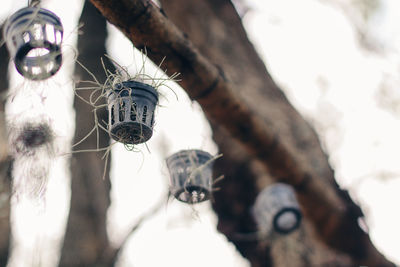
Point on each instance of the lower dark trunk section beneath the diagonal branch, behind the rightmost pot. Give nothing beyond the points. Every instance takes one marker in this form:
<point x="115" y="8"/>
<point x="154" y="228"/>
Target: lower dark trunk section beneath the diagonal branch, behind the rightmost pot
<point x="299" y="249"/>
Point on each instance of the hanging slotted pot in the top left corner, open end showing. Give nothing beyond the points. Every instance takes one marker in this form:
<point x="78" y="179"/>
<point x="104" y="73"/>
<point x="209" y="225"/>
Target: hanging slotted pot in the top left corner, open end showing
<point x="33" y="36"/>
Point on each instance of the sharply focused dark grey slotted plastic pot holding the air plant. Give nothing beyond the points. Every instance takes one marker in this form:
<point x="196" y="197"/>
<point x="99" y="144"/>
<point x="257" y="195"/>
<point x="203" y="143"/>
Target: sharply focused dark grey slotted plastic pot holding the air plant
<point x="131" y="107"/>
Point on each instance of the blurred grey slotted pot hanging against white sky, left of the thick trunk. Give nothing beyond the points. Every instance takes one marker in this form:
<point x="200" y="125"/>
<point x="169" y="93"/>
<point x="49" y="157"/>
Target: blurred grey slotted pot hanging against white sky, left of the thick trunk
<point x="190" y="175"/>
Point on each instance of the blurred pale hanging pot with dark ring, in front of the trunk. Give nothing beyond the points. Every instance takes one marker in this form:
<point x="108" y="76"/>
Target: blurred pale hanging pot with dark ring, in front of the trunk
<point x="276" y="209"/>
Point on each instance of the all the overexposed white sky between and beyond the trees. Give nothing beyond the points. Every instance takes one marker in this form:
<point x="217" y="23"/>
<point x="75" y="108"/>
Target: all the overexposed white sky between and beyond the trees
<point x="314" y="56"/>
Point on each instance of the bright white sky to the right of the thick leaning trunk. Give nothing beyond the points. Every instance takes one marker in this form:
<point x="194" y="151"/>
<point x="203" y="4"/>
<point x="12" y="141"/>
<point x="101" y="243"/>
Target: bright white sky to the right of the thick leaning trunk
<point x="337" y="85"/>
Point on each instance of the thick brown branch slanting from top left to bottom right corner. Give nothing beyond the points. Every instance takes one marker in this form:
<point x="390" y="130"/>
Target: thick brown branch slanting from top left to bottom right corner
<point x="270" y="130"/>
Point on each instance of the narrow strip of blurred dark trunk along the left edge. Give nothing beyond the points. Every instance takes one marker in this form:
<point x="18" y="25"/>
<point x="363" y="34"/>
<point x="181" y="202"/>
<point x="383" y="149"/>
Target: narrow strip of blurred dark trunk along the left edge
<point x="5" y="164"/>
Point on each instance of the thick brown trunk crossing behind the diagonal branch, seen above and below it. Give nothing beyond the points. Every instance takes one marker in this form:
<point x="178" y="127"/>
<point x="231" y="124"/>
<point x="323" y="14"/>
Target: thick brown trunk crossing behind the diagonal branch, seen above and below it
<point x="222" y="39"/>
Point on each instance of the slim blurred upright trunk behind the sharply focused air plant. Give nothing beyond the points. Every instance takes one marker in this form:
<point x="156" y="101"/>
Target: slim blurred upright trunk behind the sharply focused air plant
<point x="86" y="242"/>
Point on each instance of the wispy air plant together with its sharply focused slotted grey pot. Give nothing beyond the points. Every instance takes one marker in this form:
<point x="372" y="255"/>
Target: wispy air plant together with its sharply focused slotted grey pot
<point x="130" y="120"/>
